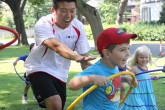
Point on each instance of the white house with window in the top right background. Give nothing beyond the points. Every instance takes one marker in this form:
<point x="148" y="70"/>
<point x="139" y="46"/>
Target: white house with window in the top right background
<point x="150" y="10"/>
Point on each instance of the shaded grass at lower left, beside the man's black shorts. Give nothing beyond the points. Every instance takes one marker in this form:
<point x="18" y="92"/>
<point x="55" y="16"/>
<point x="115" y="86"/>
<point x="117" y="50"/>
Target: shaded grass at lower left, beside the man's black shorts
<point x="11" y="92"/>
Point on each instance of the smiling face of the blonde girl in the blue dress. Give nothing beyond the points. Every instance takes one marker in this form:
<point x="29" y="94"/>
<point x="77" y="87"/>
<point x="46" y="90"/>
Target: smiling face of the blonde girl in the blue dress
<point x="143" y="59"/>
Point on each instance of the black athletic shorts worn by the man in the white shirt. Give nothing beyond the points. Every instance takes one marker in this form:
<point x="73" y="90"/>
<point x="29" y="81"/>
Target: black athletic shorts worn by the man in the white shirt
<point x="45" y="85"/>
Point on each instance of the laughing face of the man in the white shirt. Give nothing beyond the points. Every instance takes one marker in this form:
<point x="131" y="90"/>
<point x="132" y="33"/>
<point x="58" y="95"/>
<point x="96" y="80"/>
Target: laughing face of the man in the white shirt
<point x="64" y="14"/>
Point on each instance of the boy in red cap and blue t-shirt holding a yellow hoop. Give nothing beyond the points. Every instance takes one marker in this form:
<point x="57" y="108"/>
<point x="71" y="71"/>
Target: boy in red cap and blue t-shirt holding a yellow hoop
<point x="113" y="45"/>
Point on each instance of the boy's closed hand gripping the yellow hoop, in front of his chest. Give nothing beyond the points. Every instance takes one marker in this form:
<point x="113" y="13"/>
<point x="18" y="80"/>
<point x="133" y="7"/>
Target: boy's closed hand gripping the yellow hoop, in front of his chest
<point x="100" y="80"/>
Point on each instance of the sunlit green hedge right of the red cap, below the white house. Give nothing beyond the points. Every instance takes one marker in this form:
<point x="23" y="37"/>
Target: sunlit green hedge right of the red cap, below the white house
<point x="146" y="31"/>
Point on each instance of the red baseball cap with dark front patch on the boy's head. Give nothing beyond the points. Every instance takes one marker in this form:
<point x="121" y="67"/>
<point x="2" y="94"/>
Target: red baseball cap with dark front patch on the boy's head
<point x="112" y="36"/>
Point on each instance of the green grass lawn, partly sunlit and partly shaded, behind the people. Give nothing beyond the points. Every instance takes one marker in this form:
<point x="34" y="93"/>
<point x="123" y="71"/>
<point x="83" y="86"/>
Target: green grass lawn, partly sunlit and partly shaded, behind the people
<point x="11" y="86"/>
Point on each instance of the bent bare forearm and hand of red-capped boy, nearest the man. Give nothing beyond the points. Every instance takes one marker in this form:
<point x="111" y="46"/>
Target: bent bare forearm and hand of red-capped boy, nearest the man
<point x="81" y="81"/>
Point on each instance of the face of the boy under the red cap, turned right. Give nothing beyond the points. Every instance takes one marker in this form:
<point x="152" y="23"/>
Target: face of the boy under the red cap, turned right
<point x="118" y="56"/>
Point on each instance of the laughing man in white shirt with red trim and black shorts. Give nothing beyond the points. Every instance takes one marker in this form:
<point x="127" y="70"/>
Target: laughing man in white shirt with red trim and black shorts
<point x="57" y="36"/>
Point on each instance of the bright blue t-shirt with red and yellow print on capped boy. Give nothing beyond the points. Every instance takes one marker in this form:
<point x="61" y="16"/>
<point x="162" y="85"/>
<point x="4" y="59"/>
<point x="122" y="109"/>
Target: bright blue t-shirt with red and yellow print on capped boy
<point x="102" y="98"/>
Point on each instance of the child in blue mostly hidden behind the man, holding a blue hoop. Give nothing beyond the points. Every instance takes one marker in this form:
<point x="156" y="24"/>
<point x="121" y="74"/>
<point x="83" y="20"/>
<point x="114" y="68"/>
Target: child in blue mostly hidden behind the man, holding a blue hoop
<point x="27" y="86"/>
